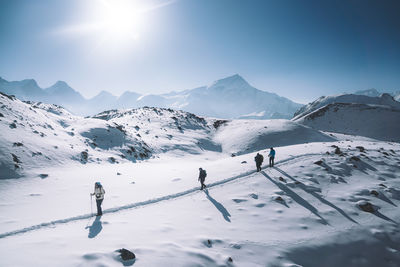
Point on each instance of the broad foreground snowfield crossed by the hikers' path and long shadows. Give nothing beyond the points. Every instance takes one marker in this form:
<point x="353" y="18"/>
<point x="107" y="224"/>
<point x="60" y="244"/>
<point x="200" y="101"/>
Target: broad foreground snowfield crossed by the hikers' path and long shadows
<point x="304" y="212"/>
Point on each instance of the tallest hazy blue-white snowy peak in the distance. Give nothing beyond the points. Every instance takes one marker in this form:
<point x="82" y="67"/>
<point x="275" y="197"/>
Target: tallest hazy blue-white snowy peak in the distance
<point x="233" y="97"/>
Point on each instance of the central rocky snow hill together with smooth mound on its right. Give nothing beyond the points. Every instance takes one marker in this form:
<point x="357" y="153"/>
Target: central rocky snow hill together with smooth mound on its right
<point x="167" y="130"/>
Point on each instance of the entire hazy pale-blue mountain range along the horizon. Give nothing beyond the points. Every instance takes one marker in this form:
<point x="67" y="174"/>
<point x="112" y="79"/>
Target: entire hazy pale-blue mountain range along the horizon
<point x="228" y="98"/>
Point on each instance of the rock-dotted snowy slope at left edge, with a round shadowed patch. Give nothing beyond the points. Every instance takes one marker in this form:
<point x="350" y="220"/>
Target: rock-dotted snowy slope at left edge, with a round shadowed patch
<point x="36" y="135"/>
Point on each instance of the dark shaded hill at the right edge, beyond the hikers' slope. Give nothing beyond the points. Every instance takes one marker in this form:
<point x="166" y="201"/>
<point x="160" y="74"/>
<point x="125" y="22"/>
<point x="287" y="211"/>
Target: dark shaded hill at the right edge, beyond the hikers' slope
<point x="374" y="117"/>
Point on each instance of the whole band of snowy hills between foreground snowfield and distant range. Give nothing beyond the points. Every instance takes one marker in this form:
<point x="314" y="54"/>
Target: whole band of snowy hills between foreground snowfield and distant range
<point x="36" y="134"/>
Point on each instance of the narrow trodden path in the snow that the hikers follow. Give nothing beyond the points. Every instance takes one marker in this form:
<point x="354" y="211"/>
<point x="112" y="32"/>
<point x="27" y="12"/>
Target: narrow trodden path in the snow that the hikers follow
<point x="150" y="201"/>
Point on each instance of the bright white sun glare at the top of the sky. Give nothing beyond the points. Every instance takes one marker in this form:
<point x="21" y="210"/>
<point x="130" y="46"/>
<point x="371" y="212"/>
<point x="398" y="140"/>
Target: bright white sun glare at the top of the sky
<point x="114" y="26"/>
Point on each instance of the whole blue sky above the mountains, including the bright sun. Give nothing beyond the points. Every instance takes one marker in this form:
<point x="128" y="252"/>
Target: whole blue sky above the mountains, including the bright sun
<point x="298" y="49"/>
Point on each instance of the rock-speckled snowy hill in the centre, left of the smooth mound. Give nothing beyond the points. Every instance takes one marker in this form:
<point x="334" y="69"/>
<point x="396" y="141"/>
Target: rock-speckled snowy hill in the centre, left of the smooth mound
<point x="166" y="130"/>
